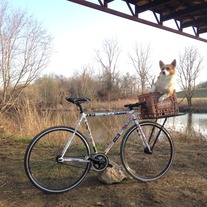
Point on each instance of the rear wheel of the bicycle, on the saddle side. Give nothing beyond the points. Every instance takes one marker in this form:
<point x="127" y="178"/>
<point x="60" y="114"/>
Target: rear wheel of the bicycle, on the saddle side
<point x="42" y="167"/>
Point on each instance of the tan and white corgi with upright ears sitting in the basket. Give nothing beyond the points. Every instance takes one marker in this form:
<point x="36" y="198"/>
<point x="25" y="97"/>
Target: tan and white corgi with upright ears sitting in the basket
<point x="166" y="80"/>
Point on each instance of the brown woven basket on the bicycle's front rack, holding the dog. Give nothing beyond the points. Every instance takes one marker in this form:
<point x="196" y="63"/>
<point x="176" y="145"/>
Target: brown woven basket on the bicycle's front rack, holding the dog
<point x="155" y="109"/>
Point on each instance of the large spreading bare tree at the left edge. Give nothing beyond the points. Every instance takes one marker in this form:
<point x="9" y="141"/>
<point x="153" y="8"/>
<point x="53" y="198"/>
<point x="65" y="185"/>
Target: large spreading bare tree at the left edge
<point x="25" y="48"/>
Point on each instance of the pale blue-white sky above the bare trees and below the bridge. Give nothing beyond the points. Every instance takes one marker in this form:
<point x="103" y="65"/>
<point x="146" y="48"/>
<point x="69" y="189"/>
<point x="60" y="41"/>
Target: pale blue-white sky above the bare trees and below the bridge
<point x="78" y="31"/>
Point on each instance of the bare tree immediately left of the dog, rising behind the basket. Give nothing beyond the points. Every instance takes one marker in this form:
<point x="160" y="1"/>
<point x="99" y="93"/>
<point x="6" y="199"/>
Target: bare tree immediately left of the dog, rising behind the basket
<point x="141" y="62"/>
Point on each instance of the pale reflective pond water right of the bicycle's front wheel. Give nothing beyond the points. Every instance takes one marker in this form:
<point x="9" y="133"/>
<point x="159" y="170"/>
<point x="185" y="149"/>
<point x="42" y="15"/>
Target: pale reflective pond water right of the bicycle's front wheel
<point x="189" y="124"/>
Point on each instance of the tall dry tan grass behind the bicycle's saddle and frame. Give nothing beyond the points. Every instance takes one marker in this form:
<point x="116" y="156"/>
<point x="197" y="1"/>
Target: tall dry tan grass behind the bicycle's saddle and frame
<point x="28" y="121"/>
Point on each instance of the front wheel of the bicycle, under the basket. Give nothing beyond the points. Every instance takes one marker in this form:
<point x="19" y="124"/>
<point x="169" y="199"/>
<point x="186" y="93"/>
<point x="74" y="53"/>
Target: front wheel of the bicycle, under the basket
<point x="138" y="161"/>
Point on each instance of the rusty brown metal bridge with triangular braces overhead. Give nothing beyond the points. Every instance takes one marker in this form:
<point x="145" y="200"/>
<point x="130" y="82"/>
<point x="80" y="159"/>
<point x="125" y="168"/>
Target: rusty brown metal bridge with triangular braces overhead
<point x="186" y="14"/>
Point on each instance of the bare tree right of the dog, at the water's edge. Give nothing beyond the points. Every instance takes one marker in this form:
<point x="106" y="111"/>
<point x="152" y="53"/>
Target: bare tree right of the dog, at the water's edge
<point x="190" y="65"/>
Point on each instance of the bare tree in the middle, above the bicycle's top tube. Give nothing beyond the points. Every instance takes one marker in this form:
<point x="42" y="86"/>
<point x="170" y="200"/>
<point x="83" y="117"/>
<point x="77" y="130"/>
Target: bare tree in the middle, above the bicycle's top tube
<point x="108" y="60"/>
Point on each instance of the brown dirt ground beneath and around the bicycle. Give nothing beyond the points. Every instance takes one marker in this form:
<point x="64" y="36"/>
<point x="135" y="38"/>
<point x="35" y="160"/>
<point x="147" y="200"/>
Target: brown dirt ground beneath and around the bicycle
<point x="184" y="185"/>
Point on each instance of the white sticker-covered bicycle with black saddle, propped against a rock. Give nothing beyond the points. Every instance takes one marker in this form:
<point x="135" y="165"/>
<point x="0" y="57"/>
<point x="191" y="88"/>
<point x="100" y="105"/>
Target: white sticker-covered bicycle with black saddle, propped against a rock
<point x="59" y="158"/>
